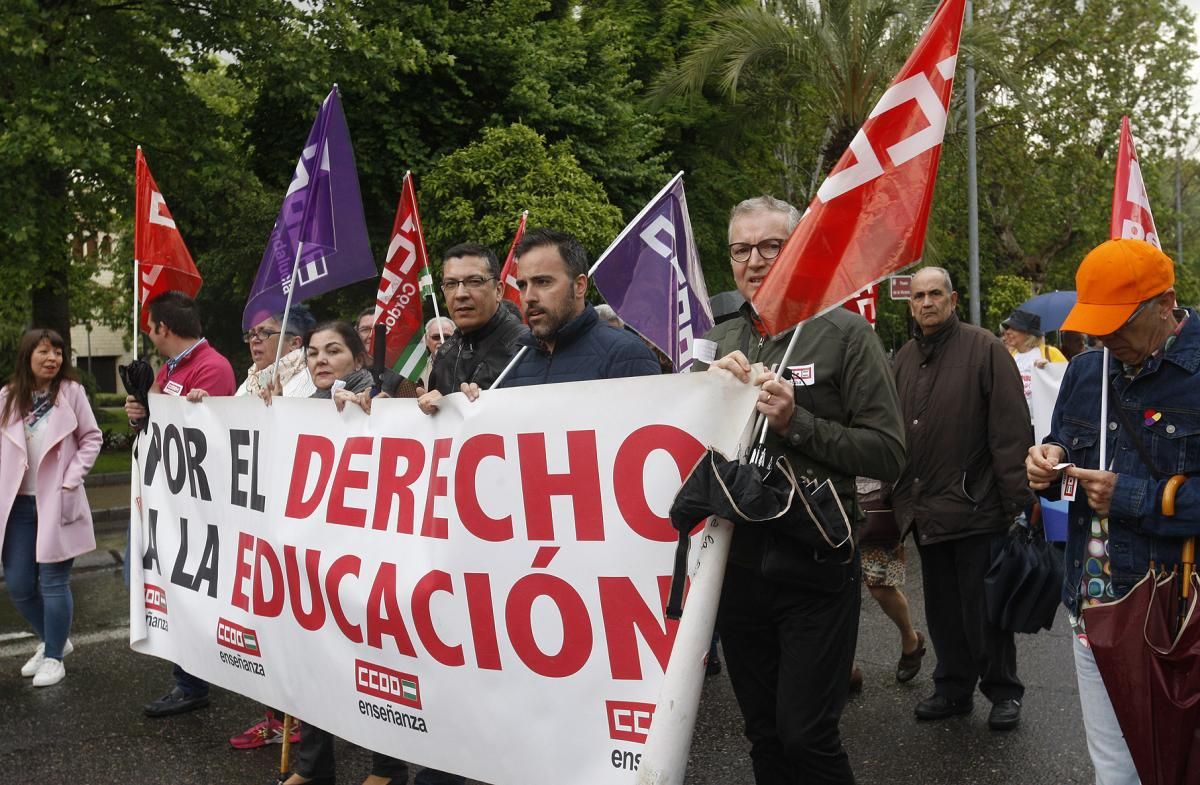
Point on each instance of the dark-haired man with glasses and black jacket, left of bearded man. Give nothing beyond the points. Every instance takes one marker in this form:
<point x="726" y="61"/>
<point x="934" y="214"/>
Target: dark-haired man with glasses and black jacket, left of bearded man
<point x="487" y="335"/>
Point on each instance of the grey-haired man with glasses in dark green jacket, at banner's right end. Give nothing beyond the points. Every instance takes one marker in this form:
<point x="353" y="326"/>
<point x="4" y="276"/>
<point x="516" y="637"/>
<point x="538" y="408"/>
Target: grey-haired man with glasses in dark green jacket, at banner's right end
<point x="789" y="615"/>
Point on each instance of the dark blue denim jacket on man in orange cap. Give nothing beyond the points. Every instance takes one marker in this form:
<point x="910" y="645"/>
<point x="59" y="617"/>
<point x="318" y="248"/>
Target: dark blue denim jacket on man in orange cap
<point x="1168" y="385"/>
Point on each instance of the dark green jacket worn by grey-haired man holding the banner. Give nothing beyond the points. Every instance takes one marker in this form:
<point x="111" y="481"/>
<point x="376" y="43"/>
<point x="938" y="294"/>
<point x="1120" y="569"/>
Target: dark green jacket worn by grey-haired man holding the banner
<point x="848" y="417"/>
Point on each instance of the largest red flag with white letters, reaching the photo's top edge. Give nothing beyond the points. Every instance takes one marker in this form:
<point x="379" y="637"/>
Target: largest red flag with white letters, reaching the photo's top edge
<point x="869" y="217"/>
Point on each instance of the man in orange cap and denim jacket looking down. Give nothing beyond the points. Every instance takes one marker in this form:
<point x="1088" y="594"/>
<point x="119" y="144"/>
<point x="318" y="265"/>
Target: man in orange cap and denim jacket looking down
<point x="1126" y="298"/>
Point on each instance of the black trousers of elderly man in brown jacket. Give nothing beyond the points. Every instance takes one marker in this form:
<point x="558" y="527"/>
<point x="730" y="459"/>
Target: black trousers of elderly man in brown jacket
<point x="970" y="650"/>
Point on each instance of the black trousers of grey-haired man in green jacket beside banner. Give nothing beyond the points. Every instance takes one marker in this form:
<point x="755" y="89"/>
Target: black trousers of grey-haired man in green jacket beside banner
<point x="789" y="651"/>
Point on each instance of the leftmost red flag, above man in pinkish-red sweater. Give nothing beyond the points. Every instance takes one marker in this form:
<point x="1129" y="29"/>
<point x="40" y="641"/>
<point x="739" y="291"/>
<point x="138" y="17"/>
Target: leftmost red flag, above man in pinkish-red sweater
<point x="160" y="259"/>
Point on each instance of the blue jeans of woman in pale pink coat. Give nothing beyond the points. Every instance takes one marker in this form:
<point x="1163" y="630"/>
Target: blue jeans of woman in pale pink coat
<point x="41" y="592"/>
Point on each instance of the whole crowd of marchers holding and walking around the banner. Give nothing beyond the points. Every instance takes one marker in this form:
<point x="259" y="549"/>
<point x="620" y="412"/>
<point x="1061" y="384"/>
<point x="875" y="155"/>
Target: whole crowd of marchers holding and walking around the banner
<point x="941" y="435"/>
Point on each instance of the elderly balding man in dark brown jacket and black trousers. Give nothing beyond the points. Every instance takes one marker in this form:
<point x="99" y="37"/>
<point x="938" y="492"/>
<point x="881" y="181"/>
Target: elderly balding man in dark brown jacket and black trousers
<point x="968" y="435"/>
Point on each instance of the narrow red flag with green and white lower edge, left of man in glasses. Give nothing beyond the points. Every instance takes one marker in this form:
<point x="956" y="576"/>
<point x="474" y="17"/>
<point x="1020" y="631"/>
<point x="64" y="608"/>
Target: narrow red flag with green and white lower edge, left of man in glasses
<point x="405" y="283"/>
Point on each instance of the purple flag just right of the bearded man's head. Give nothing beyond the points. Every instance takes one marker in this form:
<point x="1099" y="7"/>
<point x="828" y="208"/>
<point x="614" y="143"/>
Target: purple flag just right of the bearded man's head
<point x="651" y="277"/>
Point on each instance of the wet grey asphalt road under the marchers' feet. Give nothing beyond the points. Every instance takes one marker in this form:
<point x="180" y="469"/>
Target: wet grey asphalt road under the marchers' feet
<point x="89" y="730"/>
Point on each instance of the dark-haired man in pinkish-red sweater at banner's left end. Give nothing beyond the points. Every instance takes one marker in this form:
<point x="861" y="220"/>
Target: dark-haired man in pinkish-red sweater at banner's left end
<point x="194" y="369"/>
